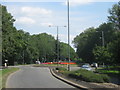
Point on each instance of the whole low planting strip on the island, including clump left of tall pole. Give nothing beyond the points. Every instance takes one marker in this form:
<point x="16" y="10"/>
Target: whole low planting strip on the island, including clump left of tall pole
<point x="84" y="75"/>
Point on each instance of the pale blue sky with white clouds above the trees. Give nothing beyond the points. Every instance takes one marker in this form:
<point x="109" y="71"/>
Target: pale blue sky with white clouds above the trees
<point x="36" y="16"/>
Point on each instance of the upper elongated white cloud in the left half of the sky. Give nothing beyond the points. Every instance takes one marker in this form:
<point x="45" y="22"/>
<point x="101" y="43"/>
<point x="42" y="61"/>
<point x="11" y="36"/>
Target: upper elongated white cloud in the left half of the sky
<point x="35" y="11"/>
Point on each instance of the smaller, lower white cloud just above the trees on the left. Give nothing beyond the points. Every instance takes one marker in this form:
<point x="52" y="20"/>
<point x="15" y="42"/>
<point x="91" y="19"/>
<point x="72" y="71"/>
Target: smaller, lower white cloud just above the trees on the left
<point x="25" y="20"/>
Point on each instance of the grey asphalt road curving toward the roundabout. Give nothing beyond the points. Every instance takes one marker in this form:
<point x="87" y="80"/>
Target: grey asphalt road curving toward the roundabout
<point x="34" y="77"/>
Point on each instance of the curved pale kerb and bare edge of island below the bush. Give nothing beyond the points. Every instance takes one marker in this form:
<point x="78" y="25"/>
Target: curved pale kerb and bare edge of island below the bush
<point x="82" y="84"/>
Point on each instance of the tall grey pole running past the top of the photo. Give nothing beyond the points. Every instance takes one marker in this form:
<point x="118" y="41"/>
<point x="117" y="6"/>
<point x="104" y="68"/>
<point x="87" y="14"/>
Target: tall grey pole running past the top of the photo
<point x="68" y="37"/>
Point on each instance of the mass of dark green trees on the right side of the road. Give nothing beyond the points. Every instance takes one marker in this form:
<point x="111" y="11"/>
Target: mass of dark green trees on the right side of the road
<point x="102" y="44"/>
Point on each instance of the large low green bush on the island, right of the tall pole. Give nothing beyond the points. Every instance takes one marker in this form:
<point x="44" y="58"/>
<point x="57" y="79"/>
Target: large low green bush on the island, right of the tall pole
<point x="89" y="76"/>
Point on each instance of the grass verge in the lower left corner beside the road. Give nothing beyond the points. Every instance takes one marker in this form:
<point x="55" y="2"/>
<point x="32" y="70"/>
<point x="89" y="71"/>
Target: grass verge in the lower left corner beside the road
<point x="4" y="74"/>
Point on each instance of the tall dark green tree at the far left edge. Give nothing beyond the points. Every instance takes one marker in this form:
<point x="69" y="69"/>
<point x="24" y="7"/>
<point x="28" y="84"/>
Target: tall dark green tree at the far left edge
<point x="8" y="34"/>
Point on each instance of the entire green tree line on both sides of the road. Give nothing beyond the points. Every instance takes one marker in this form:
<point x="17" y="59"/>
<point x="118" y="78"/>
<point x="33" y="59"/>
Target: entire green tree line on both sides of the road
<point x="101" y="45"/>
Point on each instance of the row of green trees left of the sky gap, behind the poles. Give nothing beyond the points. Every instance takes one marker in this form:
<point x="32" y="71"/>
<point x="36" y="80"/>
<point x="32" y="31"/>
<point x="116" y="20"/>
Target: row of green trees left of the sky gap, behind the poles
<point x="19" y="47"/>
